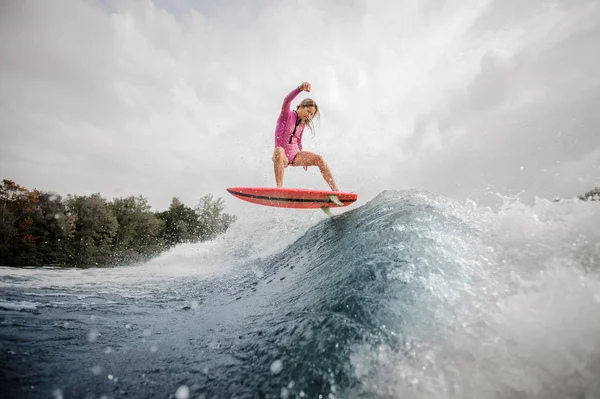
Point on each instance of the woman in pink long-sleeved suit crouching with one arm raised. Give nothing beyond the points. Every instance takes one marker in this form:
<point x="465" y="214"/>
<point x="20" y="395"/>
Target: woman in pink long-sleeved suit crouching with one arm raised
<point x="288" y="138"/>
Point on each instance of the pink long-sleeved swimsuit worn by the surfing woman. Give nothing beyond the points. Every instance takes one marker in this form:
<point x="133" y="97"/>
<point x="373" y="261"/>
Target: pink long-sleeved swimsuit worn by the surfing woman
<point x="288" y="132"/>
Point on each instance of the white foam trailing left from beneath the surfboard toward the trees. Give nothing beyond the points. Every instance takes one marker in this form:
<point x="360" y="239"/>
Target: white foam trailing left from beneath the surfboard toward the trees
<point x="253" y="236"/>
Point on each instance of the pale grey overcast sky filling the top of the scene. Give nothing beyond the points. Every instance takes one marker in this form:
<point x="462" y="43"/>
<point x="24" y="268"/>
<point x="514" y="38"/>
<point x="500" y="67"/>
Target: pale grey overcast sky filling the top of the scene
<point x="467" y="99"/>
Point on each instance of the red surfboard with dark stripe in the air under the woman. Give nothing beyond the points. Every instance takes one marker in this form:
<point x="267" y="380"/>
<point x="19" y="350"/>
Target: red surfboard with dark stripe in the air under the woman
<point x="293" y="197"/>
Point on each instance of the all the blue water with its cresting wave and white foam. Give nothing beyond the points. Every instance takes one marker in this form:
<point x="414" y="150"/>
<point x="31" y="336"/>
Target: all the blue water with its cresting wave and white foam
<point x="410" y="295"/>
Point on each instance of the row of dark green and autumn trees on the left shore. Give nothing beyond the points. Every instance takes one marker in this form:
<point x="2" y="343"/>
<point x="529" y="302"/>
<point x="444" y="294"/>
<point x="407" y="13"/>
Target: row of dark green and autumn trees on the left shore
<point x="41" y="228"/>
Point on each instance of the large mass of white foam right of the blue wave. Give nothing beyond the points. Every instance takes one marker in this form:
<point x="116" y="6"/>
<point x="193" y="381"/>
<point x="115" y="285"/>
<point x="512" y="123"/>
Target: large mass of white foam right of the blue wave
<point x="536" y="334"/>
